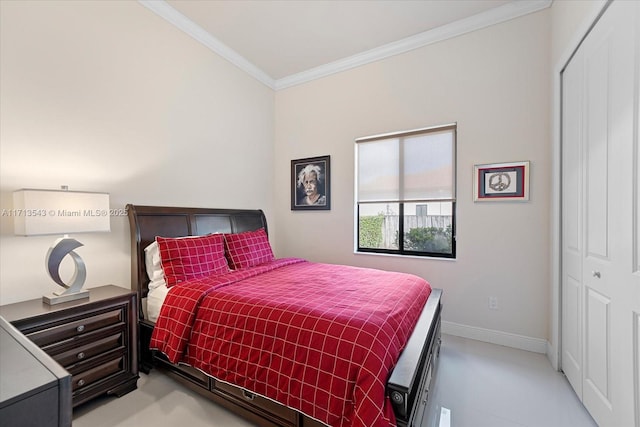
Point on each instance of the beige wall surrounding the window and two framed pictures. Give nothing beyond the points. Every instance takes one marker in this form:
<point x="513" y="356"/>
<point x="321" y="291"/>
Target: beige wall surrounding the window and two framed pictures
<point x="495" y="83"/>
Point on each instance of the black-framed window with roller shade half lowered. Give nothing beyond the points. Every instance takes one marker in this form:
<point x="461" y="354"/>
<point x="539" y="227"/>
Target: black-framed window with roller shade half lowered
<point x="405" y="192"/>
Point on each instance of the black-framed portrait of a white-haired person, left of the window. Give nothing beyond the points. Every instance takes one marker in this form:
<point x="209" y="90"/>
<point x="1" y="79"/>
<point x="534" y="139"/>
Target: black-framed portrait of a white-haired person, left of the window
<point x="310" y="184"/>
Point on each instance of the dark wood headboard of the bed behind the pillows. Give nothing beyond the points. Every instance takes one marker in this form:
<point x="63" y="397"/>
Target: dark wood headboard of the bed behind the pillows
<point x="147" y="222"/>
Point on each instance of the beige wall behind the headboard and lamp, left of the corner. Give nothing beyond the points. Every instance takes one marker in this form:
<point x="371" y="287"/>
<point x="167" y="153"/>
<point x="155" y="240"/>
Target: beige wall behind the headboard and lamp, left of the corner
<point x="107" y="96"/>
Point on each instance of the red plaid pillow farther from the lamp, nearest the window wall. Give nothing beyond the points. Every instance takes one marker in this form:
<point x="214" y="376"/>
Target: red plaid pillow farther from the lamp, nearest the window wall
<point x="248" y="249"/>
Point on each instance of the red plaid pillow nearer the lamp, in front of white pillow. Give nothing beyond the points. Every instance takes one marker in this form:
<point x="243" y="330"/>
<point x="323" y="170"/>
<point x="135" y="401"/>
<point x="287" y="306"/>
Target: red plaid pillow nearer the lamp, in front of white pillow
<point x="192" y="257"/>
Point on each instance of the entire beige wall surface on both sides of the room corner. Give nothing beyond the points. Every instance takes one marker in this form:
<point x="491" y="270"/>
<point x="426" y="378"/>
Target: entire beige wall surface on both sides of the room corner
<point x="107" y="96"/>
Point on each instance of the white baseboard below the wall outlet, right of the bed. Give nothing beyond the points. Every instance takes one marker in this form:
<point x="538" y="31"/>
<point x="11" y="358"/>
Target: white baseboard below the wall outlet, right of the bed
<point x="506" y="339"/>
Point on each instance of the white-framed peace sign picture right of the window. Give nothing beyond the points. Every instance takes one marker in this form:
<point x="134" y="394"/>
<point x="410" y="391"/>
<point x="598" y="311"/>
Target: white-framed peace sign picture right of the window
<point x="501" y="181"/>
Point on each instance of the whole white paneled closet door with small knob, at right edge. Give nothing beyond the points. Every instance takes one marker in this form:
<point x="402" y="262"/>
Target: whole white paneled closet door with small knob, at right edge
<point x="601" y="279"/>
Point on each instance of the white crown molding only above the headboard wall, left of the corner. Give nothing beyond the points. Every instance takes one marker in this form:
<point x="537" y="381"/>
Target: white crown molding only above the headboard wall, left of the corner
<point x="176" y="18"/>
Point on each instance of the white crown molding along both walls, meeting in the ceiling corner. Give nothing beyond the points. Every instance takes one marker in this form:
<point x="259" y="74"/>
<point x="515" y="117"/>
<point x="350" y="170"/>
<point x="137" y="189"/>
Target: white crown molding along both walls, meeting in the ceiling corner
<point x="500" y="14"/>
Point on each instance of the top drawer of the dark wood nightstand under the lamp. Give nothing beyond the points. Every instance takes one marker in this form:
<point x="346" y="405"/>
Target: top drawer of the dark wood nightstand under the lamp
<point x="75" y="328"/>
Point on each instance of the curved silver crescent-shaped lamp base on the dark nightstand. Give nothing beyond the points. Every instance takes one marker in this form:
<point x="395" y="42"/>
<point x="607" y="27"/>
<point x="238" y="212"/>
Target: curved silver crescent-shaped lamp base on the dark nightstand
<point x="62" y="247"/>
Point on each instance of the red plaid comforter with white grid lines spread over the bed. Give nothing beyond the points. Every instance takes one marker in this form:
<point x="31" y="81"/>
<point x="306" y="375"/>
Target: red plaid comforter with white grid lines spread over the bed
<point x="318" y="338"/>
